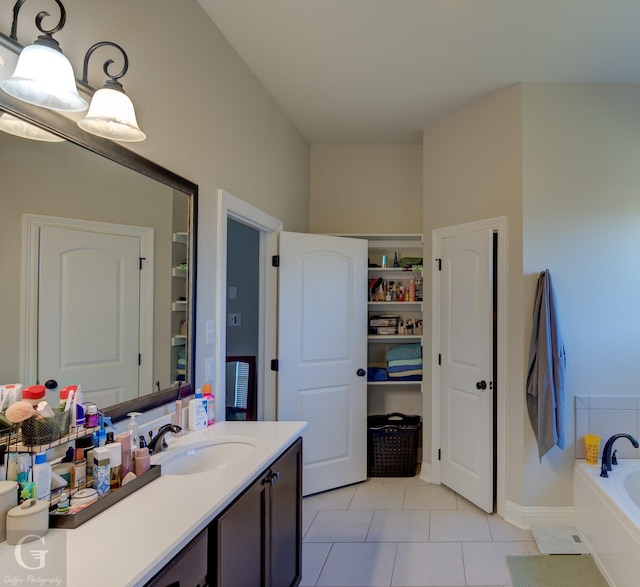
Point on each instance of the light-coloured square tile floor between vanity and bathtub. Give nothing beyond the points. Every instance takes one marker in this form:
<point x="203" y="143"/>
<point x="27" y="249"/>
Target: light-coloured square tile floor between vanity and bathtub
<point x="404" y="532"/>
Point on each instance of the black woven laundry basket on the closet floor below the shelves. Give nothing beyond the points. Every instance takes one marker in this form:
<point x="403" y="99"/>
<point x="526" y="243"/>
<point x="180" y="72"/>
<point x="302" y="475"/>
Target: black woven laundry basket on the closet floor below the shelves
<point x="392" y="447"/>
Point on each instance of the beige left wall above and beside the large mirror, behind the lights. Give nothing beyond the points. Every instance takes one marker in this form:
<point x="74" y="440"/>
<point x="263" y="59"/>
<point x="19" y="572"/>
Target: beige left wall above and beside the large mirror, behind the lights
<point x="205" y="114"/>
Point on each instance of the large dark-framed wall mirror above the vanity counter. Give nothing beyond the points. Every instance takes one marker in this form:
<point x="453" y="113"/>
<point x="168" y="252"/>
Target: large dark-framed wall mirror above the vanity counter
<point x="97" y="262"/>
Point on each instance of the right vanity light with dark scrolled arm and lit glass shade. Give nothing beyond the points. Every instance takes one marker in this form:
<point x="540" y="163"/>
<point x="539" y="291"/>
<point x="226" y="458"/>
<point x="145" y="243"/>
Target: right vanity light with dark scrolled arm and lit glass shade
<point x="111" y="114"/>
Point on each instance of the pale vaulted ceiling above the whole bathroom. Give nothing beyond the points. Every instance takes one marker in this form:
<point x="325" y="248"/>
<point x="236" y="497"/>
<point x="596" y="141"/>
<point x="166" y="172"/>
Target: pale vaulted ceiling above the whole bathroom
<point x="379" y="71"/>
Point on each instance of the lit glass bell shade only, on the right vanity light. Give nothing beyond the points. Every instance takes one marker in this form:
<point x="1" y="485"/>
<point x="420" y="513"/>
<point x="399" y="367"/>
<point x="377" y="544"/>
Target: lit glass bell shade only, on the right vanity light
<point x="111" y="115"/>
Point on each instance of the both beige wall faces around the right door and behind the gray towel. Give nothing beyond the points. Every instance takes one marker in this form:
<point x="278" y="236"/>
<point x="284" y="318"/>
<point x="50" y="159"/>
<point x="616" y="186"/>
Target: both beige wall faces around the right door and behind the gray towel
<point x="560" y="162"/>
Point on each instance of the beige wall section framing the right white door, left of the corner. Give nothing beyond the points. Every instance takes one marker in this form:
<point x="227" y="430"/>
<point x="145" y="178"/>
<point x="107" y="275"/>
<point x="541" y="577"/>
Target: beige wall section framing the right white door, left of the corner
<point x="473" y="171"/>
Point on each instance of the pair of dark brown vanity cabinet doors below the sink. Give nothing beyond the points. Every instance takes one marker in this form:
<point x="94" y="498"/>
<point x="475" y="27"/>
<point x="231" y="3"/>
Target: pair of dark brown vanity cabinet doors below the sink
<point x="257" y="540"/>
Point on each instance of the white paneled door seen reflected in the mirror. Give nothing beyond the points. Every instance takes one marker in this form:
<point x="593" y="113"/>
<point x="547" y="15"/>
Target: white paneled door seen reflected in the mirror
<point x="88" y="312"/>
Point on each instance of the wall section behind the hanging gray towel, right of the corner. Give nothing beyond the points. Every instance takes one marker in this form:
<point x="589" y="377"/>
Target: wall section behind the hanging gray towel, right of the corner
<point x="581" y="210"/>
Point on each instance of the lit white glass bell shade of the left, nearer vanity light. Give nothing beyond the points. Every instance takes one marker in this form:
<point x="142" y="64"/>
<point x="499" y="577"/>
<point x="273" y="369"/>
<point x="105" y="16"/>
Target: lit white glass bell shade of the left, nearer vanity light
<point x="44" y="77"/>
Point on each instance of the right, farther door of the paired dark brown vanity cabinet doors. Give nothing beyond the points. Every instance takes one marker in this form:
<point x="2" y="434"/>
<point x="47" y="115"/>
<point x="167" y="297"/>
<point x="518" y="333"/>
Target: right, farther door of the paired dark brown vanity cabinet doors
<point x="286" y="518"/>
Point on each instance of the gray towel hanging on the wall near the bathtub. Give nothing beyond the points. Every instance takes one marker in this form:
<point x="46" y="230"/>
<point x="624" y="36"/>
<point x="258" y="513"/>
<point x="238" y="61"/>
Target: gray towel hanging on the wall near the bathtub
<point x="545" y="377"/>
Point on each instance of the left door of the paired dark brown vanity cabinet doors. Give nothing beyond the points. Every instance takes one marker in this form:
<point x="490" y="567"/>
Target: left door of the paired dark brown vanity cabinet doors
<point x="241" y="540"/>
